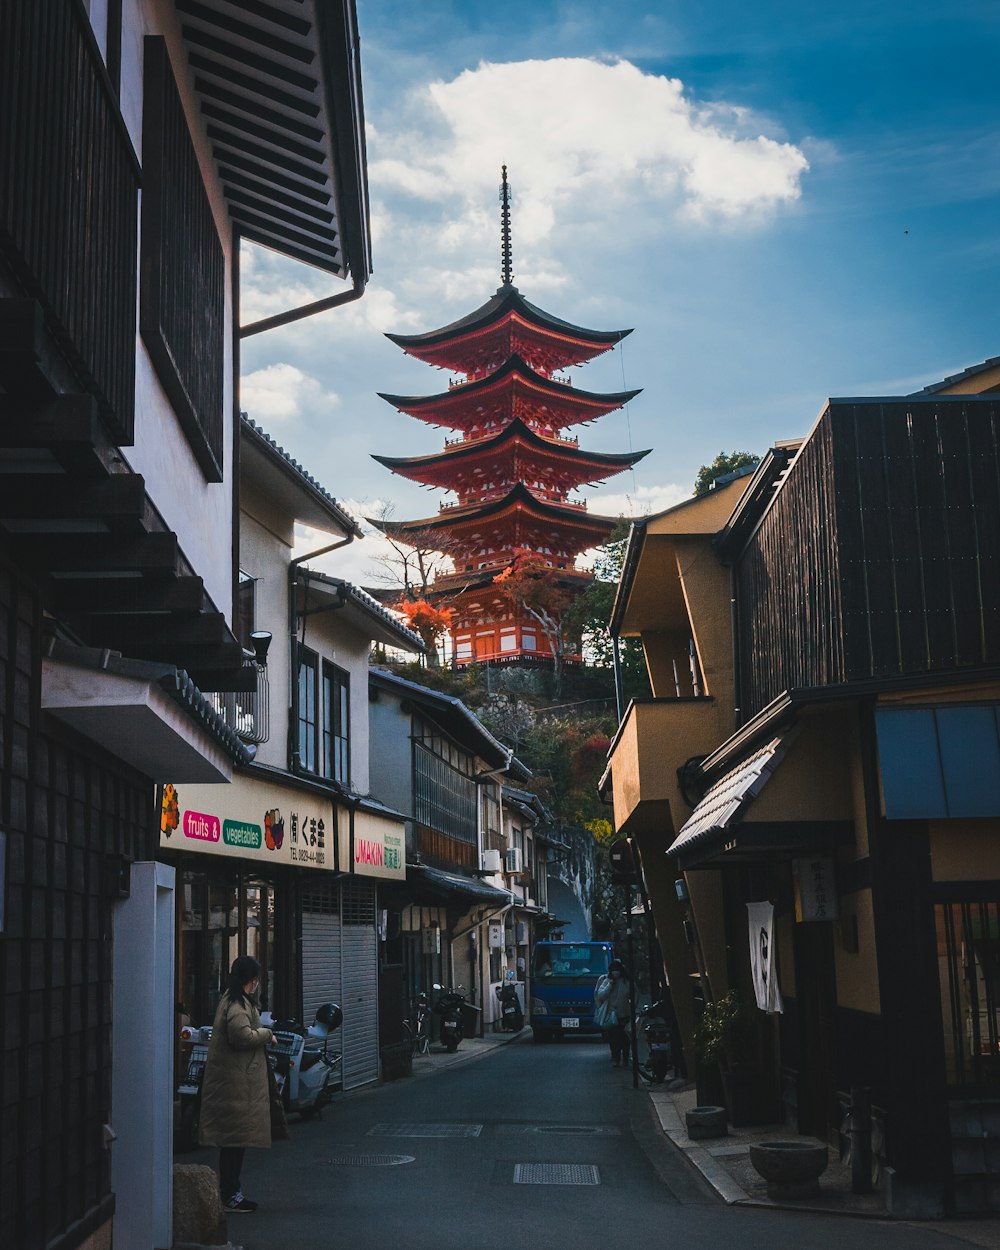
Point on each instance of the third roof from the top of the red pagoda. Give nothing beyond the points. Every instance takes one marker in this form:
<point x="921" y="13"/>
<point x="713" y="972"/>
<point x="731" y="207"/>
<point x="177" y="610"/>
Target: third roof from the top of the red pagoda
<point x="516" y="454"/>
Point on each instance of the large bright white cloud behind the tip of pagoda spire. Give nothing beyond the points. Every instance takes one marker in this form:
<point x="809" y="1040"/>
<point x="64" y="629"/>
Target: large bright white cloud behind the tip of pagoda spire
<point x="581" y="134"/>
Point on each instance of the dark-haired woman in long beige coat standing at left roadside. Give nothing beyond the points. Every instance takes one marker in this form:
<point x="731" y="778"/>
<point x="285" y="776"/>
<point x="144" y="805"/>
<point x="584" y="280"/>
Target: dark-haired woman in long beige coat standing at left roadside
<point x="236" y="1102"/>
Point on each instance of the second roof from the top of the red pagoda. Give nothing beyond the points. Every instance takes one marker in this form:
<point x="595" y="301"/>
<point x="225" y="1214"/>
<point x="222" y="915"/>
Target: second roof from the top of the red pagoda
<point x="514" y="391"/>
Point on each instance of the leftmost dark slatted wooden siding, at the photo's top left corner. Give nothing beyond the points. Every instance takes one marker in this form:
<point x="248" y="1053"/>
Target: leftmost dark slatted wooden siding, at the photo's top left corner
<point x="69" y="184"/>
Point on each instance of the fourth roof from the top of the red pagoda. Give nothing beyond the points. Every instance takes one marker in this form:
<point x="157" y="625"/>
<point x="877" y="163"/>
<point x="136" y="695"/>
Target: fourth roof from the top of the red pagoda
<point x="519" y="519"/>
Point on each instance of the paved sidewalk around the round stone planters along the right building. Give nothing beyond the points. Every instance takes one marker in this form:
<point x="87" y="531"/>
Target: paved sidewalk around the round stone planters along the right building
<point x="726" y="1164"/>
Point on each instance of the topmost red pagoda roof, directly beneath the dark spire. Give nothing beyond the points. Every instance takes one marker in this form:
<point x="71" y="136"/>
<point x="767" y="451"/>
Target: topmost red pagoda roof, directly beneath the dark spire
<point x="507" y="326"/>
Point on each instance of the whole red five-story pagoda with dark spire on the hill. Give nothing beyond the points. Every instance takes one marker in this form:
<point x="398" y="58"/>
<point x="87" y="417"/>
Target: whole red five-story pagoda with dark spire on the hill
<point x="512" y="466"/>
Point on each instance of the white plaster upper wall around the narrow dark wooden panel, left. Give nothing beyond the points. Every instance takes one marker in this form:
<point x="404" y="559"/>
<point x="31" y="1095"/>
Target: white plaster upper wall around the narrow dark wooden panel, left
<point x="201" y="513"/>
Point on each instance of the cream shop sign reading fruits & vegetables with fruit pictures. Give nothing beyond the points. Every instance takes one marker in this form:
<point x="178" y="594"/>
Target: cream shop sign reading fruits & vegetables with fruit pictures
<point x="249" y="819"/>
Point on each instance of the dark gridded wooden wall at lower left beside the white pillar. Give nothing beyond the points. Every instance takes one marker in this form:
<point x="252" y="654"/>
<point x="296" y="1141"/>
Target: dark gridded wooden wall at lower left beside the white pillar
<point x="72" y="822"/>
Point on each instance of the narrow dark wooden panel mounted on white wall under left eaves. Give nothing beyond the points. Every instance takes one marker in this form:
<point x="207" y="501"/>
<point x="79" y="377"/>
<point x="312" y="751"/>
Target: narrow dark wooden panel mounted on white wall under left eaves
<point x="182" y="309"/>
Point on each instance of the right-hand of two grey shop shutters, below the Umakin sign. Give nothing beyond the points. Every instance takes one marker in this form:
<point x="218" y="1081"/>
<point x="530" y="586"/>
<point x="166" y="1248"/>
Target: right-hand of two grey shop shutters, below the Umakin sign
<point x="361" y="983"/>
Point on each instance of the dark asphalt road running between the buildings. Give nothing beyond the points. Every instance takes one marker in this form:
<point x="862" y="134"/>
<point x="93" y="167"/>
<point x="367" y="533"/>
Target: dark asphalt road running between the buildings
<point x="479" y="1156"/>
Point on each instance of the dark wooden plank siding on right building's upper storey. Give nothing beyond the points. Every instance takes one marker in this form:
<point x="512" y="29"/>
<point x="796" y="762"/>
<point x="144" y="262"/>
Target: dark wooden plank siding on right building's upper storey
<point x="881" y="556"/>
